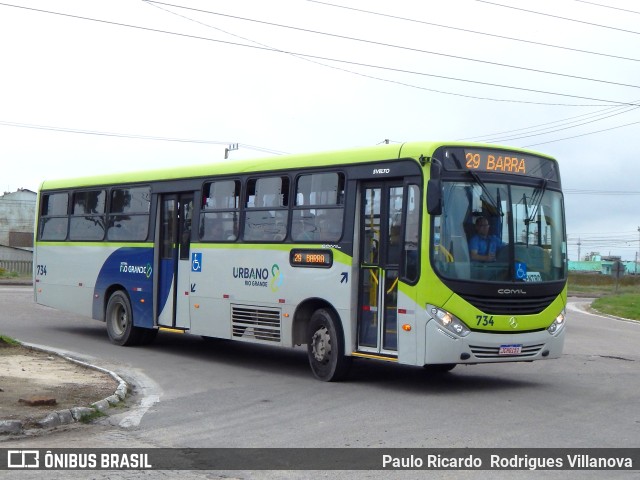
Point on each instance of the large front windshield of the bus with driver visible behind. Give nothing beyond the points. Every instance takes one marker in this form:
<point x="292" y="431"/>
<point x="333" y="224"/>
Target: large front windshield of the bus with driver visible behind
<point x="499" y="232"/>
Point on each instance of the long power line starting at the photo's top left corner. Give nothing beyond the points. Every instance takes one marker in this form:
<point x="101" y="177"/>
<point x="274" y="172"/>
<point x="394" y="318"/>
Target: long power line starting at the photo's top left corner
<point x="397" y="70"/>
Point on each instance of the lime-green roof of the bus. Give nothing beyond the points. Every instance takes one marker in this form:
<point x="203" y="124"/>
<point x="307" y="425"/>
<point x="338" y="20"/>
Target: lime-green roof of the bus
<point x="264" y="164"/>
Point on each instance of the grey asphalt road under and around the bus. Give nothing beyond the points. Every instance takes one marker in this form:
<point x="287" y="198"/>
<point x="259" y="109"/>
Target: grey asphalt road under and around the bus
<point x="195" y="393"/>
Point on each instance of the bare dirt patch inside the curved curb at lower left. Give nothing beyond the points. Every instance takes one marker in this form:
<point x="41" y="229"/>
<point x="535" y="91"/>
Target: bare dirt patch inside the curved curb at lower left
<point x="27" y="374"/>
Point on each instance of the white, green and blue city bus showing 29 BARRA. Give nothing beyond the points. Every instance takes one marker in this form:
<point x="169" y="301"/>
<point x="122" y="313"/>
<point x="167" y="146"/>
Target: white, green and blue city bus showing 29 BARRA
<point x="368" y="253"/>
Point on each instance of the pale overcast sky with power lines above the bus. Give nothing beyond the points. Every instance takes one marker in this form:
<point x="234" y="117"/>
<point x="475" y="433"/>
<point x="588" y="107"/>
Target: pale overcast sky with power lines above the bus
<point x="111" y="81"/>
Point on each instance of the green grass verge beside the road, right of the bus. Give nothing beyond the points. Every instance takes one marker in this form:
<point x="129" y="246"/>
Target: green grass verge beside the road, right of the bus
<point x="613" y="297"/>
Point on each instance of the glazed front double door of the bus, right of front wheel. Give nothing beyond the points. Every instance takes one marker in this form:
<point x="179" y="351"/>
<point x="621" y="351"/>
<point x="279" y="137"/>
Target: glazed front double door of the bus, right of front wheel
<point x="380" y="254"/>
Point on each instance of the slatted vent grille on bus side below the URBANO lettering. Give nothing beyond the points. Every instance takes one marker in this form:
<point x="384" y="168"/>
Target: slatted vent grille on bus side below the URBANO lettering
<point x="255" y="322"/>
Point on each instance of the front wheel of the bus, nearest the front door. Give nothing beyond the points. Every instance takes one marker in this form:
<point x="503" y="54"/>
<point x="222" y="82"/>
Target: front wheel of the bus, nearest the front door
<point x="325" y="347"/>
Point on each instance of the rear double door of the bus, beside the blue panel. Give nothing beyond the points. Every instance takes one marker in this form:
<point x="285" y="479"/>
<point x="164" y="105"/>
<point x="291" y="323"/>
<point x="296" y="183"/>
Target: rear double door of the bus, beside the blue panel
<point x="173" y="240"/>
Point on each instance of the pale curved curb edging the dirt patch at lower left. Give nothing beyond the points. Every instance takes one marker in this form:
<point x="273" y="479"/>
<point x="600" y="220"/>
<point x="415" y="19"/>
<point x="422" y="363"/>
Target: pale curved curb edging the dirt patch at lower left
<point x="74" y="414"/>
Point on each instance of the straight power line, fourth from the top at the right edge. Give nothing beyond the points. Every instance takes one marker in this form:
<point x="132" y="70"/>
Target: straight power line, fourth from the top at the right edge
<point x="400" y="47"/>
